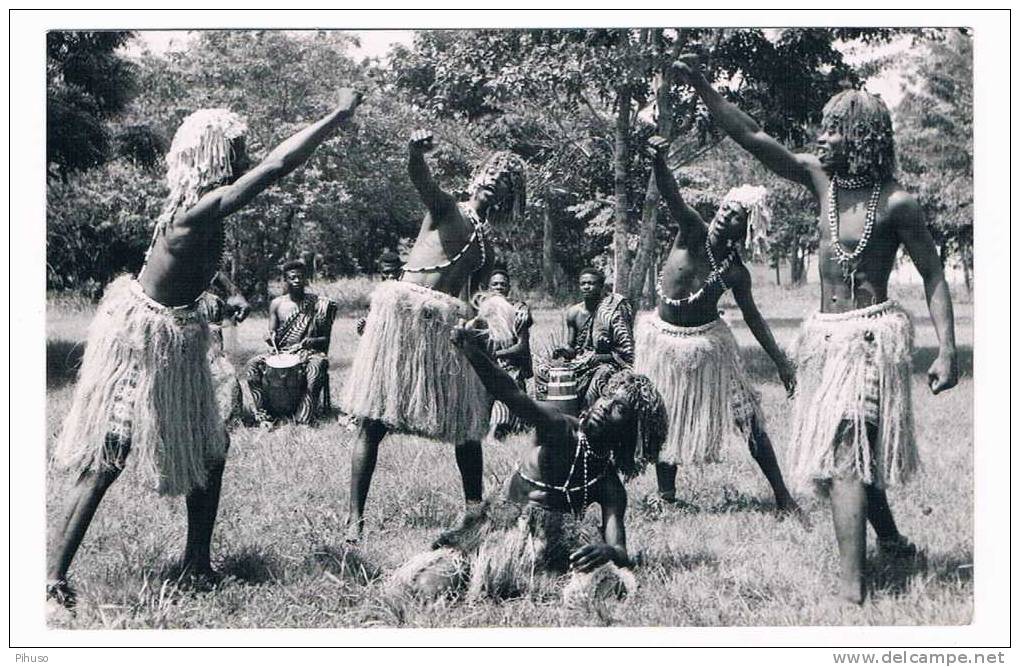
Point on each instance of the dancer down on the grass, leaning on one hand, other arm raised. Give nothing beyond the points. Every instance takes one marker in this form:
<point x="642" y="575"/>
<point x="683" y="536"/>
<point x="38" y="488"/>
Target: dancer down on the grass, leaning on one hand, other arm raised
<point x="533" y="530"/>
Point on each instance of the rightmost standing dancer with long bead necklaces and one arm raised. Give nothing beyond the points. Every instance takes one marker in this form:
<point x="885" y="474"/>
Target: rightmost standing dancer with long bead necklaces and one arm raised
<point x="853" y="420"/>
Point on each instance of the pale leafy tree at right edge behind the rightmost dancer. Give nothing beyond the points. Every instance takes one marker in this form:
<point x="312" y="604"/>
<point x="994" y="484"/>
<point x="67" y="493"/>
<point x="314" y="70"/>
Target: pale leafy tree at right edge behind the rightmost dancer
<point x="935" y="140"/>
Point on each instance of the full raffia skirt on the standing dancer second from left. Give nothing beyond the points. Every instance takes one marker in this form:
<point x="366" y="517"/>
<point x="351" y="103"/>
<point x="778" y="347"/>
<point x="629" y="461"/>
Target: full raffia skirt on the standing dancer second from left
<point x="407" y="374"/>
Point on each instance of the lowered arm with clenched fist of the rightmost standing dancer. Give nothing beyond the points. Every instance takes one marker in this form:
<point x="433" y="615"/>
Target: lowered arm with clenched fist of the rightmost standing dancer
<point x="943" y="374"/>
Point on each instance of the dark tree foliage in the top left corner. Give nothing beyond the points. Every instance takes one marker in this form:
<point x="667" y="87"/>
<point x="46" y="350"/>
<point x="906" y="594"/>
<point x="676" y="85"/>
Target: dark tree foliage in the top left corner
<point x="88" y="83"/>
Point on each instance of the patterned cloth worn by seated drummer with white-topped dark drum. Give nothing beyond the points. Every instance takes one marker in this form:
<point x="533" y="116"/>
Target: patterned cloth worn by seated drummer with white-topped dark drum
<point x="313" y="320"/>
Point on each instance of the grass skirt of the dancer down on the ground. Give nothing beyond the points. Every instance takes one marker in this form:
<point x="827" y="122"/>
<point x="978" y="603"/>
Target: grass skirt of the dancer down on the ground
<point x="506" y="550"/>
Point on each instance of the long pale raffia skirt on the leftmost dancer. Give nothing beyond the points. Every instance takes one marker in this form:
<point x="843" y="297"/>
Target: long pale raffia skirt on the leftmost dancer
<point x="145" y="379"/>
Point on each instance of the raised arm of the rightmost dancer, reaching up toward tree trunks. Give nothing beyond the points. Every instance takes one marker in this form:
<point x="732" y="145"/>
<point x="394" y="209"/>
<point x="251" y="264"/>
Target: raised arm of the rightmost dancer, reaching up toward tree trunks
<point x="745" y="131"/>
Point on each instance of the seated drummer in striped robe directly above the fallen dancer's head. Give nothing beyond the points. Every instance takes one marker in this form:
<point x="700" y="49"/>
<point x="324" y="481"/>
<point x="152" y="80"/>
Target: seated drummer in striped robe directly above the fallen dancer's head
<point x="601" y="338"/>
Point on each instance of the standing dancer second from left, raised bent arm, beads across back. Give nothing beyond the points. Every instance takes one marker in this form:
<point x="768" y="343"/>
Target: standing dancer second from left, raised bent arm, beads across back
<point x="406" y="377"/>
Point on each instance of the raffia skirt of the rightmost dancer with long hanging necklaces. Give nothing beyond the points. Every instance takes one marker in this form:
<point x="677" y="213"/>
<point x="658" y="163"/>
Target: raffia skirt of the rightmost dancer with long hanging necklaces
<point x="854" y="370"/>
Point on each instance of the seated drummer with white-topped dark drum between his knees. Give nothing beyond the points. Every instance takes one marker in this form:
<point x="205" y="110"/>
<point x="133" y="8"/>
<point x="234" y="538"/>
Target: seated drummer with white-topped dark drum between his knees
<point x="300" y="323"/>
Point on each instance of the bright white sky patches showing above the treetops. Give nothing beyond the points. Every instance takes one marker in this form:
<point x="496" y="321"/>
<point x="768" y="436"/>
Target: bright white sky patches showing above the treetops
<point x="378" y="43"/>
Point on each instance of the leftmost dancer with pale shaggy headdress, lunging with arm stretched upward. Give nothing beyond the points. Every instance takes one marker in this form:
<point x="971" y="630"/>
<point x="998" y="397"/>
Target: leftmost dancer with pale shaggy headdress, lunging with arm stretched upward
<point x="145" y="385"/>
